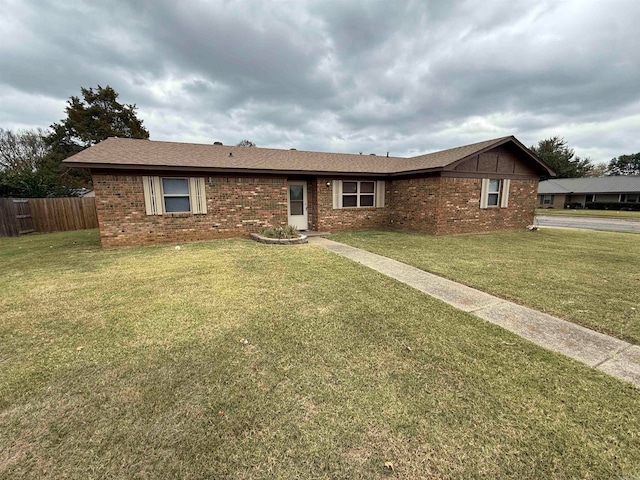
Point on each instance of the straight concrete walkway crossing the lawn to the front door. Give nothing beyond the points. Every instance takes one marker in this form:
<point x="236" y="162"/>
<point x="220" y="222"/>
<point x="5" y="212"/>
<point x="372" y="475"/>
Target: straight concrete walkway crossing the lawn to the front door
<point x="608" y="354"/>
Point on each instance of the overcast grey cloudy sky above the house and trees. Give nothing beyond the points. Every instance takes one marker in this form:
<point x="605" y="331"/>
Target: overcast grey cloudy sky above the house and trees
<point x="352" y="76"/>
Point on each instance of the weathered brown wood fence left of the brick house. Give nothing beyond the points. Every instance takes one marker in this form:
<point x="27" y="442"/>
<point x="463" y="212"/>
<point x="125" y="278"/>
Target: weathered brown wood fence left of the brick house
<point x="20" y="215"/>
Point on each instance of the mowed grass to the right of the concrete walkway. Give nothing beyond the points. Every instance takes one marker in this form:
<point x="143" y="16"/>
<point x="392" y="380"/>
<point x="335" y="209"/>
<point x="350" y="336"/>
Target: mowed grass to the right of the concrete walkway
<point x="589" y="277"/>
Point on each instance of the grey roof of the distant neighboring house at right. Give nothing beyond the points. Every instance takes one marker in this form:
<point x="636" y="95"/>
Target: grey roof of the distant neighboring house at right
<point x="613" y="184"/>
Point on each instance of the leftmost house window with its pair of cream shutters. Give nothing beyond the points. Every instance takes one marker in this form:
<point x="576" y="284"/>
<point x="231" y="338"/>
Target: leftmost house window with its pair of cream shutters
<point x="174" y="195"/>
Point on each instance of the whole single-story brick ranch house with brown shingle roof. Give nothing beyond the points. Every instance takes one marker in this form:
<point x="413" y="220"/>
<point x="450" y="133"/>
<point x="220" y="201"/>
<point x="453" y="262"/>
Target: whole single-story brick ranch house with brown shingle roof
<point x="149" y="192"/>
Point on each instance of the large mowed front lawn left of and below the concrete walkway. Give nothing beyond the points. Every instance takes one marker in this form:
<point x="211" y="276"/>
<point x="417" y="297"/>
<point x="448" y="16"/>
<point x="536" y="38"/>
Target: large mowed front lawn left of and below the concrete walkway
<point x="129" y="364"/>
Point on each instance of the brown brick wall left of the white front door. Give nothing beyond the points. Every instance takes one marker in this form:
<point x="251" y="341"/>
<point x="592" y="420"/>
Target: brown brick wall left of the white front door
<point x="235" y="207"/>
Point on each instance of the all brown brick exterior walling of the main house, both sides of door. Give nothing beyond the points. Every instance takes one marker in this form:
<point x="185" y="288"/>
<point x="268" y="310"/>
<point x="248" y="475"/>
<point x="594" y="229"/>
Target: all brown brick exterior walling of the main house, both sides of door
<point x="239" y="206"/>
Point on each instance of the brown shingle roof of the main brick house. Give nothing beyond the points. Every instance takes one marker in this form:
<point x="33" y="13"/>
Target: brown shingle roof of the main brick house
<point x="133" y="153"/>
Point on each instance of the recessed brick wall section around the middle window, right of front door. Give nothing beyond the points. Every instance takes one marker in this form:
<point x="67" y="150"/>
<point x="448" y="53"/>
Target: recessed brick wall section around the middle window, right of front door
<point x="327" y="219"/>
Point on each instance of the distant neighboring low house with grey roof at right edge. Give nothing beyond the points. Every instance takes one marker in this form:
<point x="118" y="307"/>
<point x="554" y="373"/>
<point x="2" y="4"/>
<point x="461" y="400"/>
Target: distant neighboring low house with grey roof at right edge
<point x="579" y="192"/>
